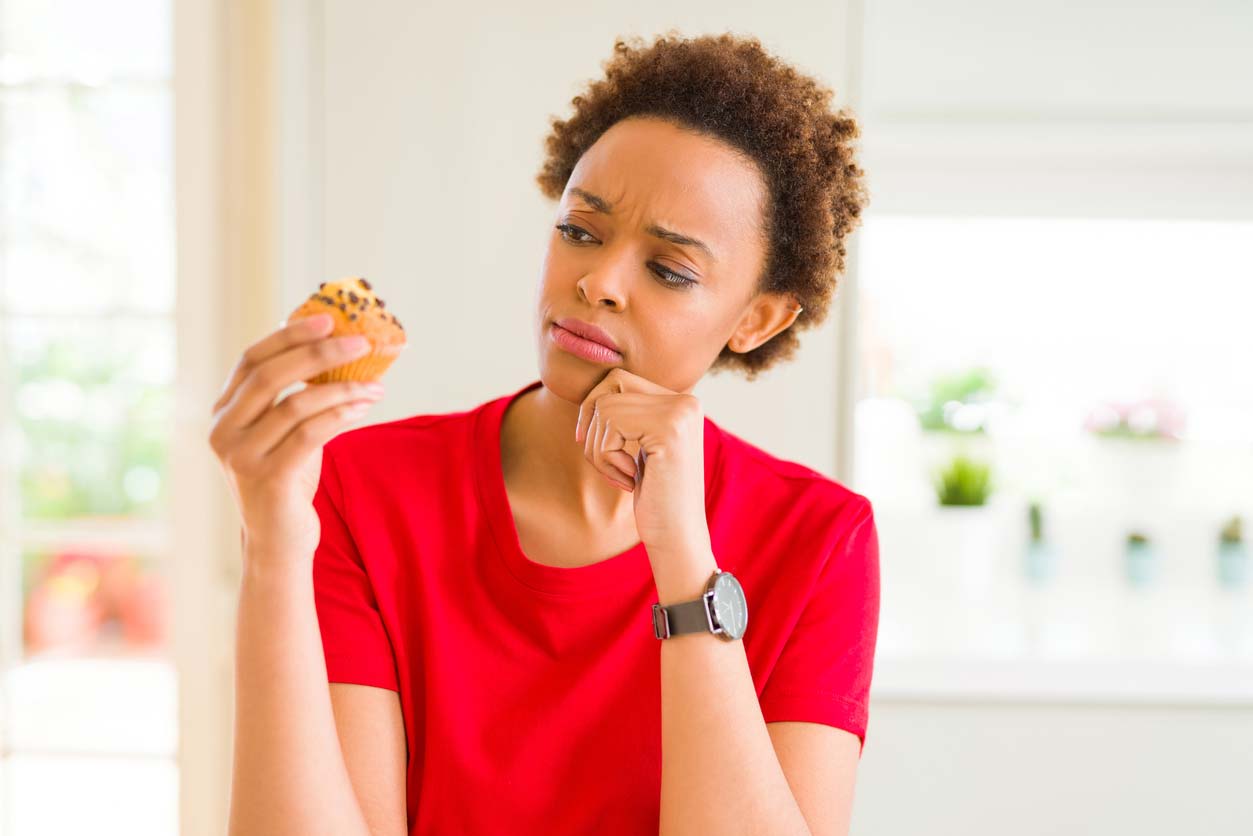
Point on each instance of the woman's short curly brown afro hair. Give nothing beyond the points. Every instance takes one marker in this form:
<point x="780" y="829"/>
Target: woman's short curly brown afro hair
<point x="731" y="88"/>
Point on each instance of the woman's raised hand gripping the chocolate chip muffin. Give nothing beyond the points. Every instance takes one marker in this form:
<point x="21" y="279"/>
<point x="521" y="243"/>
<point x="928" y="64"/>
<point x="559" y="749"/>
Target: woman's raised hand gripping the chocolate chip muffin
<point x="273" y="453"/>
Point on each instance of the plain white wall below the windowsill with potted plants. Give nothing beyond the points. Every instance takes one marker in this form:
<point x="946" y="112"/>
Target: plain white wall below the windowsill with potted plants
<point x="1023" y="770"/>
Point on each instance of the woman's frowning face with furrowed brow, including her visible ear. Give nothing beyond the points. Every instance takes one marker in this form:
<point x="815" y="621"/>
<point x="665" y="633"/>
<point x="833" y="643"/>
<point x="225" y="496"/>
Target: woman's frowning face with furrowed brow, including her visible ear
<point x="627" y="259"/>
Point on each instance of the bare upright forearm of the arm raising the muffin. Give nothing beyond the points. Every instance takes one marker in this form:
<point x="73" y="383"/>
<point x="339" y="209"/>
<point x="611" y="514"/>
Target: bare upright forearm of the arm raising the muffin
<point x="289" y="775"/>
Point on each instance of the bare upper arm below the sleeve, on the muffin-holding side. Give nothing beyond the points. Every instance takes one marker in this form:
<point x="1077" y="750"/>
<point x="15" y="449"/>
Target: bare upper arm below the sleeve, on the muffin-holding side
<point x="372" y="731"/>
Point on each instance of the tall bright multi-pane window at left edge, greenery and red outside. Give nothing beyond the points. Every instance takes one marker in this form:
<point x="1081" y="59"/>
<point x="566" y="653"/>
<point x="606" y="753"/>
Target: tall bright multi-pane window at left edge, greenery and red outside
<point x="88" y="684"/>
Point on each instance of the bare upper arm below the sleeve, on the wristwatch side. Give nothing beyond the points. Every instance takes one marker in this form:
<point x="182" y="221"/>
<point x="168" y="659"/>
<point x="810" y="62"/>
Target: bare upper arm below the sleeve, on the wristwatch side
<point x="821" y="766"/>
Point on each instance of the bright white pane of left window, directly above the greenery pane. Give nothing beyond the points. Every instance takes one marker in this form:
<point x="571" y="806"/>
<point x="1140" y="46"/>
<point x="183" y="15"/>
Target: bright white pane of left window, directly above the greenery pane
<point x="88" y="202"/>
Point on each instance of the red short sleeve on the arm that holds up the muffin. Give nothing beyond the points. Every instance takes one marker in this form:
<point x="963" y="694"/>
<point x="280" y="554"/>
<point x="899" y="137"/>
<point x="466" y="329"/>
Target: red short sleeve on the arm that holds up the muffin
<point x="354" y="637"/>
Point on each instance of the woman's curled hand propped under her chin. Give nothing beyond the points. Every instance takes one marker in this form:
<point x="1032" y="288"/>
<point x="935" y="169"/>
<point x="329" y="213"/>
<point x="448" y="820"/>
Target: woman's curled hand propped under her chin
<point x="651" y="441"/>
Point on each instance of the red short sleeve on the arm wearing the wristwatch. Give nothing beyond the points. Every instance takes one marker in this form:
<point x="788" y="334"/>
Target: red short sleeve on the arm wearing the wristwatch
<point x="824" y="671"/>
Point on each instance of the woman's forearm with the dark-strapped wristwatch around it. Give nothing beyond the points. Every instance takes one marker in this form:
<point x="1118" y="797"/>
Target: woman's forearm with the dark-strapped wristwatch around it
<point x="720" y="773"/>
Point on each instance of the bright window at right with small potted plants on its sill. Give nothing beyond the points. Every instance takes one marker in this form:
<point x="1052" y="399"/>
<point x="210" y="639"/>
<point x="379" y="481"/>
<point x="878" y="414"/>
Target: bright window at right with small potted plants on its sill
<point x="1056" y="418"/>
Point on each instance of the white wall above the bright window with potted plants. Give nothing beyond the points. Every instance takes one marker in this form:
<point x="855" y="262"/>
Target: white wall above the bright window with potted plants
<point x="1107" y="108"/>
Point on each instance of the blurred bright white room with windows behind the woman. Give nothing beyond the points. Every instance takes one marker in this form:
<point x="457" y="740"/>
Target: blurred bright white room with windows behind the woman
<point x="1038" y="368"/>
